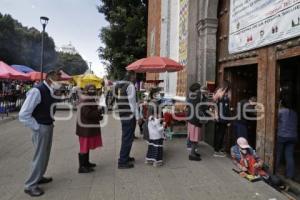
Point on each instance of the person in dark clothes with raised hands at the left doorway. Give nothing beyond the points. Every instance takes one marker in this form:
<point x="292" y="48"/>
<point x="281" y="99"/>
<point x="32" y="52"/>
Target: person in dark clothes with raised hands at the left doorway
<point x="222" y="98"/>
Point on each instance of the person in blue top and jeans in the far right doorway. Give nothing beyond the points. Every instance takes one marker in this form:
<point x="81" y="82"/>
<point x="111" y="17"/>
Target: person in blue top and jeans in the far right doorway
<point x="287" y="136"/>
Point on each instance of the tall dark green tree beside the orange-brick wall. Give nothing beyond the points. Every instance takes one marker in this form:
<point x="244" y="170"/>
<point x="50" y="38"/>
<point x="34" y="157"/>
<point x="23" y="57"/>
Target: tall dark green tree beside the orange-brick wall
<point x="125" y="38"/>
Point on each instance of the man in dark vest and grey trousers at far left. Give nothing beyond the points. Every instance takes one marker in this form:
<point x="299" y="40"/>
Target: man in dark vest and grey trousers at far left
<point x="37" y="114"/>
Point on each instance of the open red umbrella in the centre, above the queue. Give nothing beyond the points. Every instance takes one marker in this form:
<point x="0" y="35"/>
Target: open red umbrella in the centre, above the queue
<point x="155" y="64"/>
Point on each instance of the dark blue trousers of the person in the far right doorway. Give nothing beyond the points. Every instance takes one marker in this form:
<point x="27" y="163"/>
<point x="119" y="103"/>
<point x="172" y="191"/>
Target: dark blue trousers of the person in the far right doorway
<point x="286" y="146"/>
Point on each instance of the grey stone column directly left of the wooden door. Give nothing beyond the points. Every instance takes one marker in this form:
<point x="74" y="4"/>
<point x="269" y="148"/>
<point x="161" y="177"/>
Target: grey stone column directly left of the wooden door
<point x="202" y="46"/>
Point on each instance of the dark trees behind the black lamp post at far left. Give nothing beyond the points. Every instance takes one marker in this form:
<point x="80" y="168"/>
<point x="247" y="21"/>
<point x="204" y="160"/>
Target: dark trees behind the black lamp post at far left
<point x="22" y="45"/>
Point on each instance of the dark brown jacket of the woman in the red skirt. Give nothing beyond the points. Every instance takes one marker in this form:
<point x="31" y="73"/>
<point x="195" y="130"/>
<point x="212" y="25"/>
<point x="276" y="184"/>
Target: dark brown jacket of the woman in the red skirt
<point x="89" y="116"/>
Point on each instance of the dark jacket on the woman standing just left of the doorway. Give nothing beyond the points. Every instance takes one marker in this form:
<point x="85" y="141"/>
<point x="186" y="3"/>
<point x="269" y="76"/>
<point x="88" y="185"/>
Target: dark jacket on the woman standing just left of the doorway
<point x="194" y="98"/>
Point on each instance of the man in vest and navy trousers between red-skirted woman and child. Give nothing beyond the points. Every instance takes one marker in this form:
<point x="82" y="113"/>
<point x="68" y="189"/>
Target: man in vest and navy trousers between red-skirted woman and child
<point x="129" y="115"/>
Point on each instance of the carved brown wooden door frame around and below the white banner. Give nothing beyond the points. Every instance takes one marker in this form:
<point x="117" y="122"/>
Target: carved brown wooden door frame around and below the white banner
<point x="266" y="59"/>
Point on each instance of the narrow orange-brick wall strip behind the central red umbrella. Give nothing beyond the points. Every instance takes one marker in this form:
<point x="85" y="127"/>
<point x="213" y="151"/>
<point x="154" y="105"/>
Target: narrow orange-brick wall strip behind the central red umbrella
<point x="154" y="31"/>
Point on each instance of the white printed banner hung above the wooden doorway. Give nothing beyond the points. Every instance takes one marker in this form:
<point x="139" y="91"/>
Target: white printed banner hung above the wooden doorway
<point x="257" y="23"/>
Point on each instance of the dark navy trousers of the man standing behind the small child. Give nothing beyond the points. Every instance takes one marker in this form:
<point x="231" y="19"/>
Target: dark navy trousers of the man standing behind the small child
<point x="128" y="129"/>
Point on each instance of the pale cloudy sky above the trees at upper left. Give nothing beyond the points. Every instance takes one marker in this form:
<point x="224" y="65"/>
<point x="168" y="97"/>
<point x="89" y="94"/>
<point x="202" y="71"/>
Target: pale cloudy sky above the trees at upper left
<point x="75" y="21"/>
